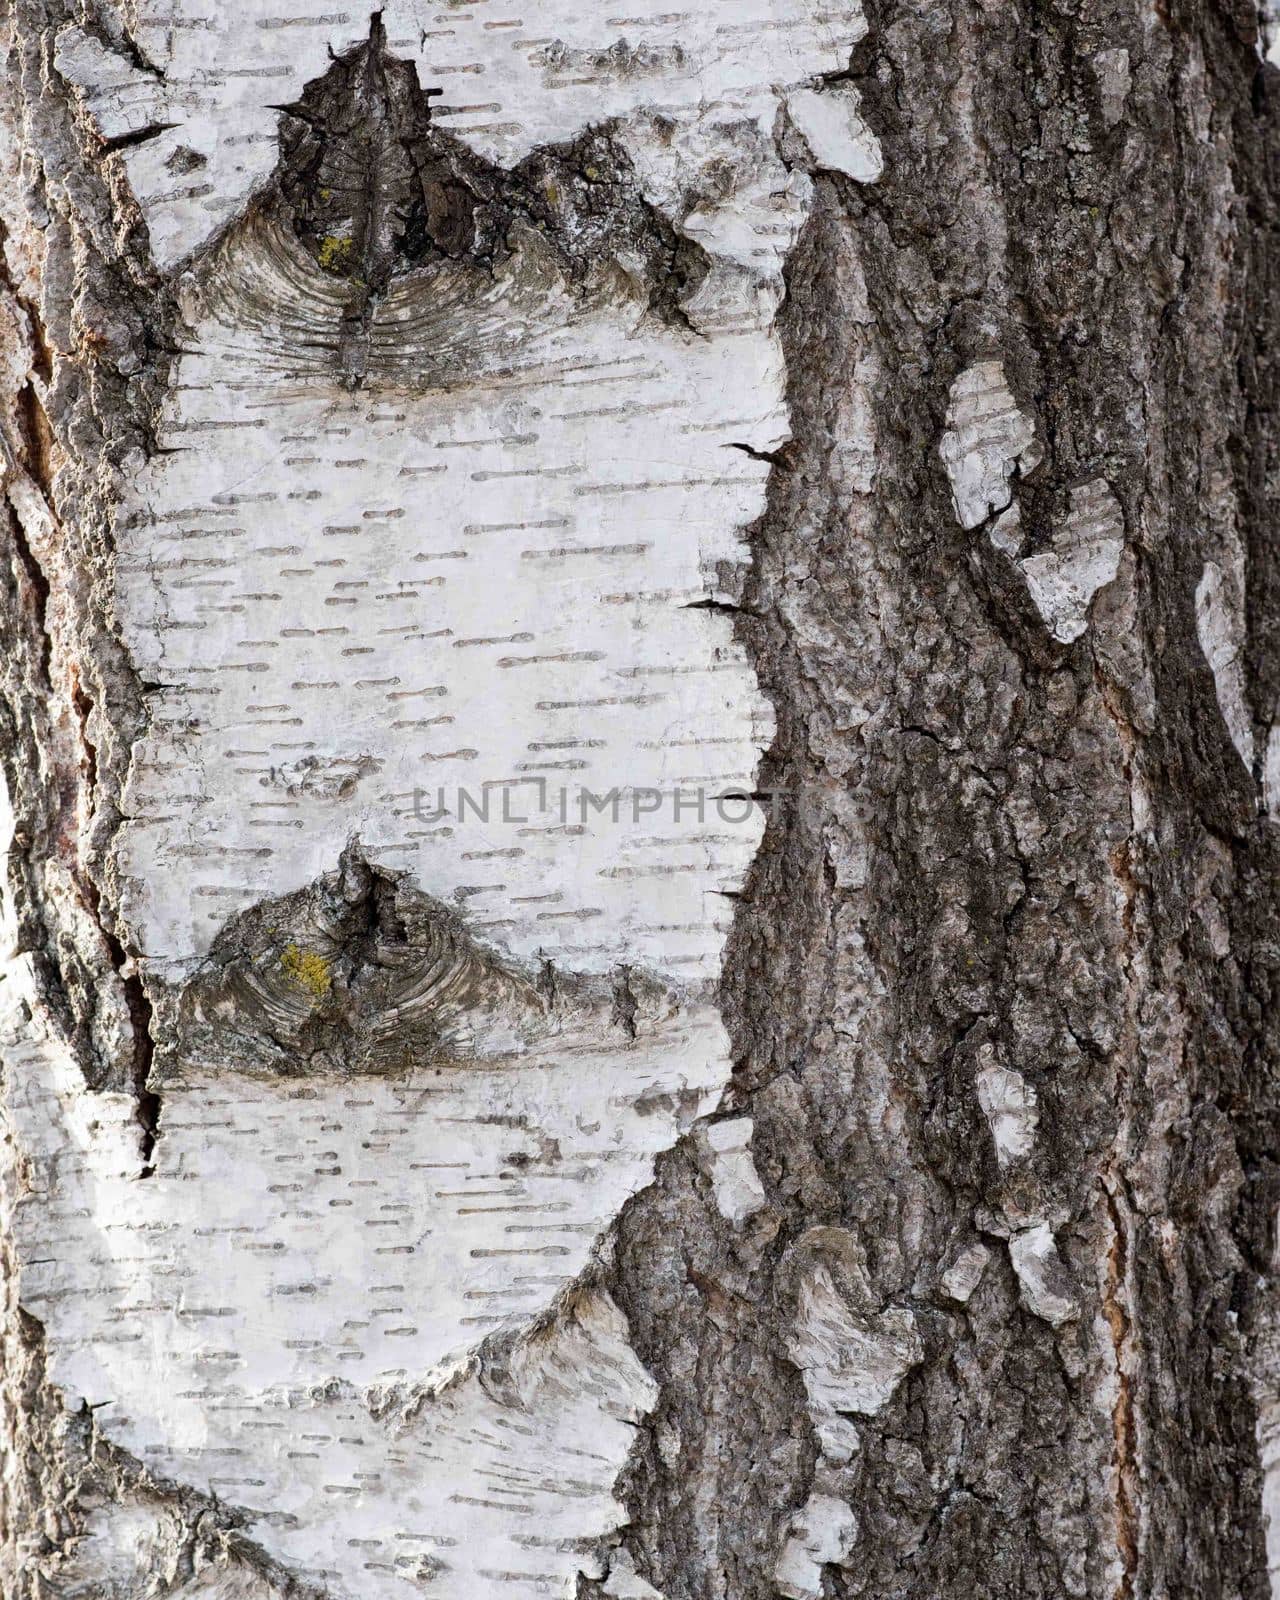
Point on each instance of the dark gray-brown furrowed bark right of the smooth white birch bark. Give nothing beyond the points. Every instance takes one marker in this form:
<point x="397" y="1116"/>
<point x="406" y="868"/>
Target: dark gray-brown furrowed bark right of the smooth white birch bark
<point x="1049" y="854"/>
